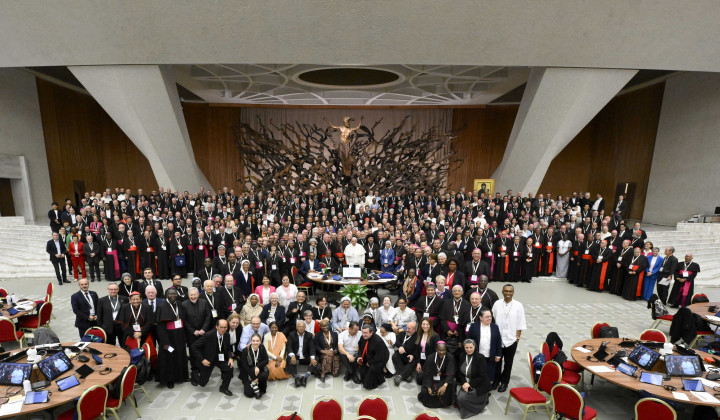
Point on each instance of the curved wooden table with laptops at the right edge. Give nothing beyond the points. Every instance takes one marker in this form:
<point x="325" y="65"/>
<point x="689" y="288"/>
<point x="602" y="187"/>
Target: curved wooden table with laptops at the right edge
<point x="626" y="381"/>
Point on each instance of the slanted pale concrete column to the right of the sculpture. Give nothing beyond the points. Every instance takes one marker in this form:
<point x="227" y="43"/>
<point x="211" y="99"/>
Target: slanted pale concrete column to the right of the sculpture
<point x="556" y="105"/>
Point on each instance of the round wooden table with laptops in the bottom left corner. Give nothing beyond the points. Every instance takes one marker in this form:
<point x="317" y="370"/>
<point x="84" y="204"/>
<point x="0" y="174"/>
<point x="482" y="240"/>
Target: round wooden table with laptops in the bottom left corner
<point x="58" y="398"/>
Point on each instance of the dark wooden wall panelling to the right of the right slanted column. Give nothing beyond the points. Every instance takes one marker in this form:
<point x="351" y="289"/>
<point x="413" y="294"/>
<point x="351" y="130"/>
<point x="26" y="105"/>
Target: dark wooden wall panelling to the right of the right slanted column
<point x="616" y="146"/>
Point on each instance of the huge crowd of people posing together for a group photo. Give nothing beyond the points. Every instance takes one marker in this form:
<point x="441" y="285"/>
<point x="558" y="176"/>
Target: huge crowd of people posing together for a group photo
<point x="248" y="253"/>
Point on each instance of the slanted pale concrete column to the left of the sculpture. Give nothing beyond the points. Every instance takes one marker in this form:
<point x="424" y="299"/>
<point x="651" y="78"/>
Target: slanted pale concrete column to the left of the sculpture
<point x="144" y="103"/>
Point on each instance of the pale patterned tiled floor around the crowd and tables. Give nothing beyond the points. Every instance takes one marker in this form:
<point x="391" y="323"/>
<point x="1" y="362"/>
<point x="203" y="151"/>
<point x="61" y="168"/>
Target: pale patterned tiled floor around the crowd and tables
<point x="550" y="305"/>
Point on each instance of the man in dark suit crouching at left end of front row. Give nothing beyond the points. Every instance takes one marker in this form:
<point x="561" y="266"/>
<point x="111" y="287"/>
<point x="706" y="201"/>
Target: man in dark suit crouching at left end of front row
<point x="213" y="350"/>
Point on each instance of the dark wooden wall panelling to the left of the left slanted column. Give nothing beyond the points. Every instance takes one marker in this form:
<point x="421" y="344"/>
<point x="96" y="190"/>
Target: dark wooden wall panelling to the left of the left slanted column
<point x="83" y="143"/>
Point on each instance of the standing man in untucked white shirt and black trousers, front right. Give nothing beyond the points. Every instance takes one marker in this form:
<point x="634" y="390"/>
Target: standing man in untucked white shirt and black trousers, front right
<point x="509" y="315"/>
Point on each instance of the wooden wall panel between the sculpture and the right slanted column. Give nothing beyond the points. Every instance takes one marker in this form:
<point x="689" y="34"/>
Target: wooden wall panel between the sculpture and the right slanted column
<point x="480" y="143"/>
